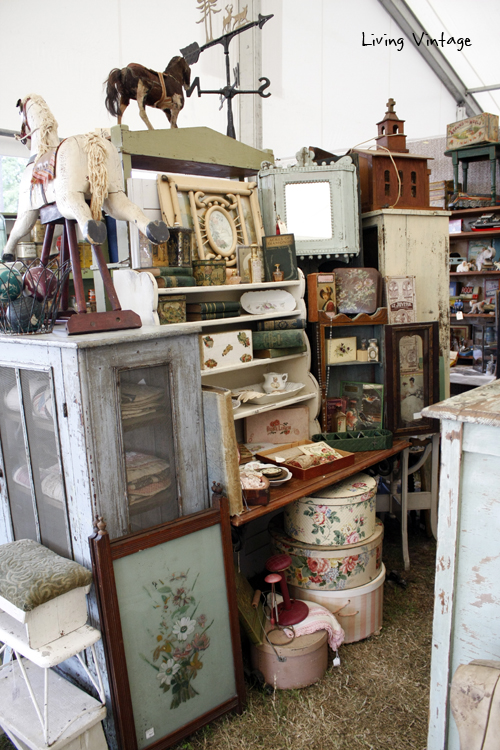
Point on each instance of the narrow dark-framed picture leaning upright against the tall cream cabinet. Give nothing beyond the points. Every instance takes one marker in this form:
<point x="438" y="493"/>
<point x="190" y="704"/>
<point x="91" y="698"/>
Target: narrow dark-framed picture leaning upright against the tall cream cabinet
<point x="398" y="383"/>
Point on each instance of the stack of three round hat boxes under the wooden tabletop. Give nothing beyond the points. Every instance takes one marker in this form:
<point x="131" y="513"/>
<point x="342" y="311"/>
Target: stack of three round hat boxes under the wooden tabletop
<point x="335" y="542"/>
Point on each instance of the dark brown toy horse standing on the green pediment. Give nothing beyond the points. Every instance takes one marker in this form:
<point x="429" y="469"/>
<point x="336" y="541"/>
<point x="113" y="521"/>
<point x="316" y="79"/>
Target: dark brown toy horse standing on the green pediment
<point x="161" y="90"/>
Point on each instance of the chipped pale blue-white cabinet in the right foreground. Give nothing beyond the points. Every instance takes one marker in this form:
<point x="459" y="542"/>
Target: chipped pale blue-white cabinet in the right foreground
<point x="467" y="588"/>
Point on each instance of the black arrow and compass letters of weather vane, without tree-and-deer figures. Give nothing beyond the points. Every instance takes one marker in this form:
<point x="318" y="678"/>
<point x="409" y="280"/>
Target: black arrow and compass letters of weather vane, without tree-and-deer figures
<point x="191" y="54"/>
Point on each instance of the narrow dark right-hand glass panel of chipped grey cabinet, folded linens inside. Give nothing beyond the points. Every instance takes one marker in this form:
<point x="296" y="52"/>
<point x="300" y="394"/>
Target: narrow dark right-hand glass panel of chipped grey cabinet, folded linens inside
<point x="148" y="441"/>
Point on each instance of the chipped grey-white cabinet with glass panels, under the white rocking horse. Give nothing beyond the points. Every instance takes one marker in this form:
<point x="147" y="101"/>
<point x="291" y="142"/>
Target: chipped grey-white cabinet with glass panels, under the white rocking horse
<point x="107" y="424"/>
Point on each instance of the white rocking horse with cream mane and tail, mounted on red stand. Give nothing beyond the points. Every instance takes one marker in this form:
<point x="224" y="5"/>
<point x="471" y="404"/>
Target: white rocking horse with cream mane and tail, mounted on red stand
<point x="69" y="172"/>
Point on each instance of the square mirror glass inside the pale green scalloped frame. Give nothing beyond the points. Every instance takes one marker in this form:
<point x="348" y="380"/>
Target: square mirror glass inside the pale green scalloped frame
<point x="308" y="210"/>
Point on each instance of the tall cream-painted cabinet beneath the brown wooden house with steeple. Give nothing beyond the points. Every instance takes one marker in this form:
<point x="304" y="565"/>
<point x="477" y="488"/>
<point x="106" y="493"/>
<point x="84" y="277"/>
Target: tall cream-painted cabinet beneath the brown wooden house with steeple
<point x="416" y="243"/>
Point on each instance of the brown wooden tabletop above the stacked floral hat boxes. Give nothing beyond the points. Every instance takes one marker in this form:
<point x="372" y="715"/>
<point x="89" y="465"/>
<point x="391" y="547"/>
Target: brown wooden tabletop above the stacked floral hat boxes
<point x="296" y="488"/>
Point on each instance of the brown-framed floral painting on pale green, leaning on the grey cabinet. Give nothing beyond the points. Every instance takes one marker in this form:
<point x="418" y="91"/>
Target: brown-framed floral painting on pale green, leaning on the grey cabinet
<point x="167" y="604"/>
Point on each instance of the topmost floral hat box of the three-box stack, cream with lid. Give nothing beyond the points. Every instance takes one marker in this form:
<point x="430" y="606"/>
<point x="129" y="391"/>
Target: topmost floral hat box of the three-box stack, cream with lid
<point x="341" y="514"/>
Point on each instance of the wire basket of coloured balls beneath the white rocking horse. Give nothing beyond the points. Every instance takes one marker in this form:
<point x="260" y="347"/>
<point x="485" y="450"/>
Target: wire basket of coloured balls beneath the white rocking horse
<point x="30" y="296"/>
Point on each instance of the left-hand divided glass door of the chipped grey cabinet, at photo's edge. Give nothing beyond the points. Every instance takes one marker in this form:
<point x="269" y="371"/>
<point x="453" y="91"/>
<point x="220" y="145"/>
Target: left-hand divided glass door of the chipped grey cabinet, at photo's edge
<point x="31" y="458"/>
